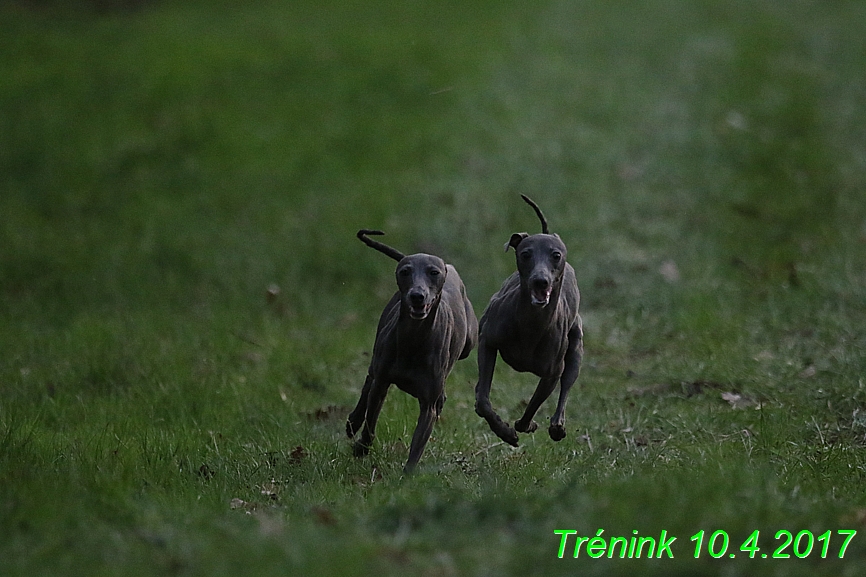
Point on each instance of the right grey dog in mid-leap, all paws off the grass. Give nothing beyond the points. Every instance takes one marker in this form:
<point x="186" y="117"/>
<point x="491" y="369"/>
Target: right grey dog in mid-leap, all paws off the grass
<point x="533" y="323"/>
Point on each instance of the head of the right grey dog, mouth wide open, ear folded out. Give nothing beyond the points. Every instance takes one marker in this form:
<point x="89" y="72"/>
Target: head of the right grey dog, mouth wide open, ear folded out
<point x="540" y="263"/>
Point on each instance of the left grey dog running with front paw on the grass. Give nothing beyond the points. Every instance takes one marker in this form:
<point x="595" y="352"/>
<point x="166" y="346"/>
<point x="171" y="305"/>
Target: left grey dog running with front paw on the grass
<point x="425" y="328"/>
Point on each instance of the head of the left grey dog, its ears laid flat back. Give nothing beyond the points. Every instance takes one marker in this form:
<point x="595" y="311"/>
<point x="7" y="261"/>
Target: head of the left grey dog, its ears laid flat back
<point x="420" y="278"/>
